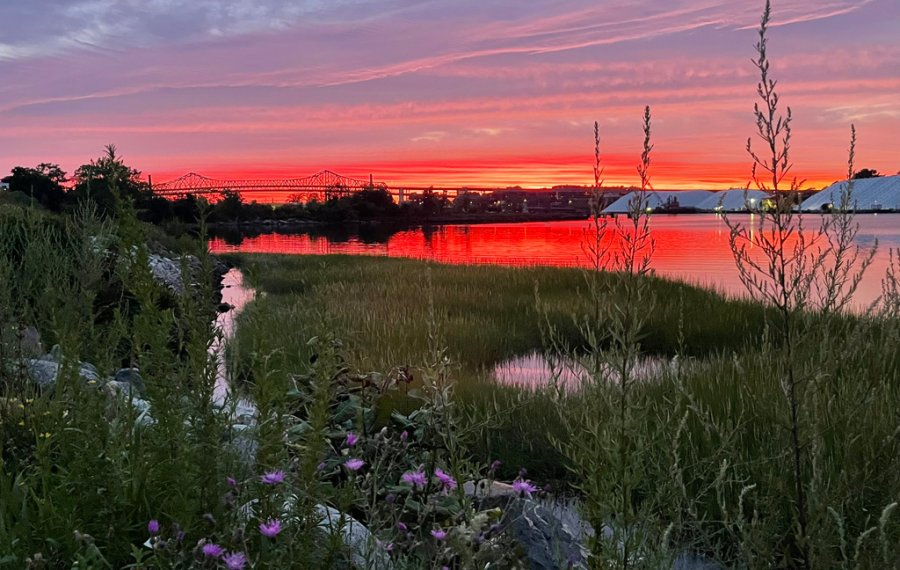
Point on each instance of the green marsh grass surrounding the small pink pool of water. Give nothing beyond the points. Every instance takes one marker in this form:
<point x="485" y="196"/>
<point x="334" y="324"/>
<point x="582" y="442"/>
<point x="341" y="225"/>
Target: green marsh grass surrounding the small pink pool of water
<point x="706" y="439"/>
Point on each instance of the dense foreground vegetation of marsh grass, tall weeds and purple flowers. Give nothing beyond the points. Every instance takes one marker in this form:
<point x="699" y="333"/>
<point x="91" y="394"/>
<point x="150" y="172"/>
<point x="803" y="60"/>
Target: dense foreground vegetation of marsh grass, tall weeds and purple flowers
<point x="768" y="438"/>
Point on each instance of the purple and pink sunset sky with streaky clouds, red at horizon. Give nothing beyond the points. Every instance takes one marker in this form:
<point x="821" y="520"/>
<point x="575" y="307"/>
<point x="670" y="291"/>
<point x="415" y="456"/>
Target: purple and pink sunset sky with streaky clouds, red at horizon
<point x="444" y="92"/>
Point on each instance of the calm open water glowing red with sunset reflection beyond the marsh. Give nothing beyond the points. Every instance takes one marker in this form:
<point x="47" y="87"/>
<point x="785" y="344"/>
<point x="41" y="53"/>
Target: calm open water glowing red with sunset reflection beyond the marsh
<point x="692" y="248"/>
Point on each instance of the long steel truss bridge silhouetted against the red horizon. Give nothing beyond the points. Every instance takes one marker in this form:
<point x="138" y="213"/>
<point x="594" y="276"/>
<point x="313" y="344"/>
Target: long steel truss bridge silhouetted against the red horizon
<point x="320" y="186"/>
